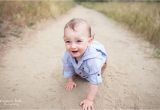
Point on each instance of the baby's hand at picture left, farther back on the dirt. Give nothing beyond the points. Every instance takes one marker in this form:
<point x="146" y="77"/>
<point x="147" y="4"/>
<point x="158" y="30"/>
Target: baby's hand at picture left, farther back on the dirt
<point x="70" y="84"/>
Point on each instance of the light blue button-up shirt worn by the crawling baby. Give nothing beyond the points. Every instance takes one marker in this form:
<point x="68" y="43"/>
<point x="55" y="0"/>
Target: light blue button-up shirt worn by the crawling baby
<point x="89" y="66"/>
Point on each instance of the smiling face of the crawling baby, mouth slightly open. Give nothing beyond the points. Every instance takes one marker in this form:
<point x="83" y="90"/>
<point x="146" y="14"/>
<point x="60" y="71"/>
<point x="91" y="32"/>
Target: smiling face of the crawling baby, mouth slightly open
<point x="77" y="41"/>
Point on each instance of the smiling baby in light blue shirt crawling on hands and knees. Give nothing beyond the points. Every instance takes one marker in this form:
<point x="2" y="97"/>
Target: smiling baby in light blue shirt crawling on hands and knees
<point x="83" y="57"/>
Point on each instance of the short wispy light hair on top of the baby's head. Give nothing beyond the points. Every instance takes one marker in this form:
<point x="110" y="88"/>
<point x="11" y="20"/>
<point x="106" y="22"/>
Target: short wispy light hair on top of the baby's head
<point x="75" y="22"/>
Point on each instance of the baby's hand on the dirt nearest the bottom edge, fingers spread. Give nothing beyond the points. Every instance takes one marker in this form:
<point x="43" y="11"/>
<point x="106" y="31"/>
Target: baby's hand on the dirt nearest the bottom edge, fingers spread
<point x="87" y="104"/>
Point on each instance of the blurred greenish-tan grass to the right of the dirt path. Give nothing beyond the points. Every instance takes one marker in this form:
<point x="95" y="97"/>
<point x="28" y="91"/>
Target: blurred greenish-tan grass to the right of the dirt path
<point x="142" y="18"/>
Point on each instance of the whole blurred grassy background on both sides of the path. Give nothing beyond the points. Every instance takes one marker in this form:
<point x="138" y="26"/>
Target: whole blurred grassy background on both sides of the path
<point x="140" y="16"/>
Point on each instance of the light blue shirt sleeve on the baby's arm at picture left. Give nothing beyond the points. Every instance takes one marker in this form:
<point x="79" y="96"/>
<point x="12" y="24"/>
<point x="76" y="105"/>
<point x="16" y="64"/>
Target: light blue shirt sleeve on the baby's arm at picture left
<point x="68" y="69"/>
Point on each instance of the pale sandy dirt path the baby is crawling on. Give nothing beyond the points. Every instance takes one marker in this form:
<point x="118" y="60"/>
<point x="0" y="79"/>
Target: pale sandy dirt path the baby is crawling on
<point x="31" y="70"/>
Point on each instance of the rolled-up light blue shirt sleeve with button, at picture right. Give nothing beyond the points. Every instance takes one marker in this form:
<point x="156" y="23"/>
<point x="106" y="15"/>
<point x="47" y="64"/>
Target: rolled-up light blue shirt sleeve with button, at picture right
<point x="94" y="74"/>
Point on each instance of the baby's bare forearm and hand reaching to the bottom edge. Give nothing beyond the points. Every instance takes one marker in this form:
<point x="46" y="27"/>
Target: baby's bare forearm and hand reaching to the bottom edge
<point x="88" y="102"/>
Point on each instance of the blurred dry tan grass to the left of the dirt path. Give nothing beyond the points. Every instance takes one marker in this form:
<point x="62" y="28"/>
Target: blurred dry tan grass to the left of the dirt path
<point x="14" y="15"/>
